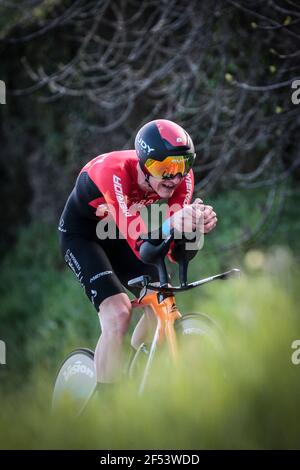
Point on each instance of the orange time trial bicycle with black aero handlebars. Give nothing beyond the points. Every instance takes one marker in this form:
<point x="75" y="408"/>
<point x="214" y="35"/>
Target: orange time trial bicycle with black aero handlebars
<point x="76" y="375"/>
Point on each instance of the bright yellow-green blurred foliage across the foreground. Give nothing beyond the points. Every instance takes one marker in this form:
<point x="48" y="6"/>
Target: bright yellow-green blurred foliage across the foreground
<point x="243" y="397"/>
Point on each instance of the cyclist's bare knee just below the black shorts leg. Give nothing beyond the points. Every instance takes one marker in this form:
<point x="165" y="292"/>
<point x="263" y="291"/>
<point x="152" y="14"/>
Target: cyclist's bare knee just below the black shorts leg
<point x="114" y="314"/>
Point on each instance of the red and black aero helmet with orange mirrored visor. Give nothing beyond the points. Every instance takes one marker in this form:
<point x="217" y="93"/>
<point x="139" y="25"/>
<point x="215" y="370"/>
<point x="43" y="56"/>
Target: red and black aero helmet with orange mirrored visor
<point x="164" y="149"/>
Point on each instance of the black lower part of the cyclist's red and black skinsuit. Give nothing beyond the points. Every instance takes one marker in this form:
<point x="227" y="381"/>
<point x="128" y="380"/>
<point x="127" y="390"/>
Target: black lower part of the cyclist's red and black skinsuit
<point x="103" y="267"/>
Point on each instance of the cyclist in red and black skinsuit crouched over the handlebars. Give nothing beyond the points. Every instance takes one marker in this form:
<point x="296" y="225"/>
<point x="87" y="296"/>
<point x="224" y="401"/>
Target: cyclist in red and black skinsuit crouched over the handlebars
<point x="111" y="187"/>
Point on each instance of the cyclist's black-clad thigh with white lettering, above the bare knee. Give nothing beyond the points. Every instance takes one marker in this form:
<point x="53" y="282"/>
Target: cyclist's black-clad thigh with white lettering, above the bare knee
<point x="92" y="267"/>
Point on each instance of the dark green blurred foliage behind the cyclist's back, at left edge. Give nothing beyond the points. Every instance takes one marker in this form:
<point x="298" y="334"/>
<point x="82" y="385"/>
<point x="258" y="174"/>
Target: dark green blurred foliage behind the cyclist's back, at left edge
<point x="43" y="311"/>
